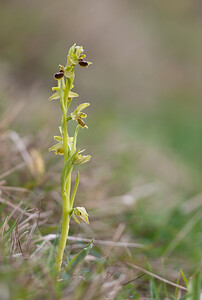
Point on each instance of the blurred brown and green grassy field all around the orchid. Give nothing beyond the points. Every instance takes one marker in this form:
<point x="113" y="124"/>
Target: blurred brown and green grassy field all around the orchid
<point x="142" y="188"/>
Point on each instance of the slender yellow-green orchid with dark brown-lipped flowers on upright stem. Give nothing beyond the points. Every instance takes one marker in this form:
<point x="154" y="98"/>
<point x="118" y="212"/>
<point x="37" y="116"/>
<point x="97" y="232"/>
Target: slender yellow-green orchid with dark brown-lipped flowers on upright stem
<point x="67" y="145"/>
